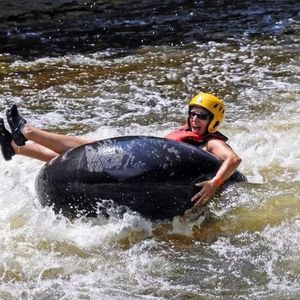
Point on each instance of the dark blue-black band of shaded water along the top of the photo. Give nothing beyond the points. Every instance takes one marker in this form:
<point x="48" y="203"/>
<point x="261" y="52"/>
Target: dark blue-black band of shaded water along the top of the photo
<point x="44" y="28"/>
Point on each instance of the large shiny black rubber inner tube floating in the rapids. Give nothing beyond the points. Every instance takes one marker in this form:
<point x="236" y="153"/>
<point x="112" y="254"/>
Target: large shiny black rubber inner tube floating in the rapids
<point x="153" y="176"/>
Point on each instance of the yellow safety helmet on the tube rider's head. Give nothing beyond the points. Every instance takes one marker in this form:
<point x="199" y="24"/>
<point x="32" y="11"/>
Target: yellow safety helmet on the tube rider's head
<point x="212" y="104"/>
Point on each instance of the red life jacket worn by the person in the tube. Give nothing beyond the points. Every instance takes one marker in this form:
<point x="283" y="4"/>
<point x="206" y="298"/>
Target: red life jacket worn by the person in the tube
<point x="183" y="134"/>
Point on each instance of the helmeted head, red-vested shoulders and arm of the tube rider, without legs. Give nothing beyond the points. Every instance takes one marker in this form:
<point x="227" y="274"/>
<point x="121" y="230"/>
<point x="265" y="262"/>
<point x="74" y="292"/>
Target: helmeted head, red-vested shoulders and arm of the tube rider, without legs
<point x="205" y="114"/>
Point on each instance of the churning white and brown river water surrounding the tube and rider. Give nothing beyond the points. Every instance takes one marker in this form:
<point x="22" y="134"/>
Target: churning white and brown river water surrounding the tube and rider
<point x="129" y="67"/>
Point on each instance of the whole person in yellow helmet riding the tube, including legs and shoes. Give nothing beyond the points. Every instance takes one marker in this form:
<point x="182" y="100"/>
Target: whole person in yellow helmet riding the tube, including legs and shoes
<point x="205" y="114"/>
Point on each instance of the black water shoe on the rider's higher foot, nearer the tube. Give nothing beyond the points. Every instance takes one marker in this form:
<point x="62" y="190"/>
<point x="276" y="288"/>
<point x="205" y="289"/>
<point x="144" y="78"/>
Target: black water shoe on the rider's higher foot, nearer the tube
<point x="16" y="122"/>
